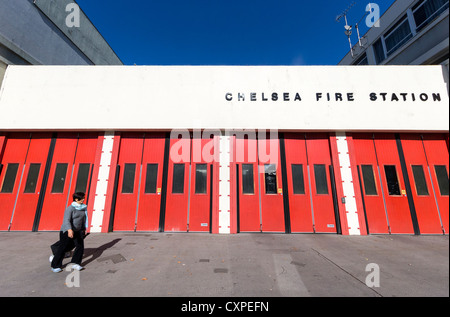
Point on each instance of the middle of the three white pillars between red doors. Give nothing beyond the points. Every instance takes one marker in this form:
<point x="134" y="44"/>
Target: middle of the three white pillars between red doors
<point x="224" y="185"/>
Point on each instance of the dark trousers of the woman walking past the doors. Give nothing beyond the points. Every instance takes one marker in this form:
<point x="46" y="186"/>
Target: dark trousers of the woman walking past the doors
<point x="64" y="243"/>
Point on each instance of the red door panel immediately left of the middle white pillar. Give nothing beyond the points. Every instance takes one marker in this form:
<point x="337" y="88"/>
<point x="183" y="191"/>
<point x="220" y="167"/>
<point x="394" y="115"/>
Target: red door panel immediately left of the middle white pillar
<point x="199" y="215"/>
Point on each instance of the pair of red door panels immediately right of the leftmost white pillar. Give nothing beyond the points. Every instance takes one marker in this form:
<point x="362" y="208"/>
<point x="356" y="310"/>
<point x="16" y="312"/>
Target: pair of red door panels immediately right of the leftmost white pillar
<point x="138" y="199"/>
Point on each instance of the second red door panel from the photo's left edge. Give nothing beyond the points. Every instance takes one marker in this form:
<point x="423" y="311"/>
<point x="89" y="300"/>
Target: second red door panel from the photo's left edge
<point x="25" y="210"/>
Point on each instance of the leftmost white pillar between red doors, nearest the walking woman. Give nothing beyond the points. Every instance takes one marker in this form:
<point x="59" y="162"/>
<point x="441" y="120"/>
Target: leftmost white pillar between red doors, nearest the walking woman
<point x="102" y="183"/>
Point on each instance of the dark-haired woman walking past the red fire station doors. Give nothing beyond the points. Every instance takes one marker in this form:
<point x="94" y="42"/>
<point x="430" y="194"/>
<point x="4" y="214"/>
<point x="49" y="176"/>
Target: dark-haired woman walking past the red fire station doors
<point x="72" y="231"/>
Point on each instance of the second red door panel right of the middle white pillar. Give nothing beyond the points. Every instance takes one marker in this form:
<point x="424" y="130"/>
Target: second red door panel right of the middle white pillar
<point x="272" y="208"/>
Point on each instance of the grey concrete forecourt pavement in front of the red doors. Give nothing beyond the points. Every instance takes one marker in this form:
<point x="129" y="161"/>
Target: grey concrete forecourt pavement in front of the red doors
<point x="243" y="265"/>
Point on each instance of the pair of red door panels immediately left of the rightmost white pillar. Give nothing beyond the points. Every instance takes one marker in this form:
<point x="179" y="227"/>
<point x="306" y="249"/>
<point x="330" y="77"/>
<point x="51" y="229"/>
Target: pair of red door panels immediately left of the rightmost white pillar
<point x="308" y="164"/>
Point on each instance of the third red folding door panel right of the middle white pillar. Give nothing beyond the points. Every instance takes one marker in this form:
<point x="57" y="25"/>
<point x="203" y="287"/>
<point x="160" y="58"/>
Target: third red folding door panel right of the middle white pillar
<point x="300" y="203"/>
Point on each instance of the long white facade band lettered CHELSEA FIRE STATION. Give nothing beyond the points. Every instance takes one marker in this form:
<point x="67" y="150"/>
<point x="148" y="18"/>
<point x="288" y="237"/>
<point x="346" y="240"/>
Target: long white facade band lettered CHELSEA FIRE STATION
<point x="321" y="98"/>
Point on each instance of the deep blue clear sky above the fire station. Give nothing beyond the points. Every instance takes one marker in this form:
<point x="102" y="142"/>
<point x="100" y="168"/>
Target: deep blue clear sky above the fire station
<point x="226" y="32"/>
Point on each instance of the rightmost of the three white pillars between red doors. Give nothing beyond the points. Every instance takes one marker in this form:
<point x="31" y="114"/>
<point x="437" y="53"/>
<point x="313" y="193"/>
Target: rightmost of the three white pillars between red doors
<point x="351" y="209"/>
